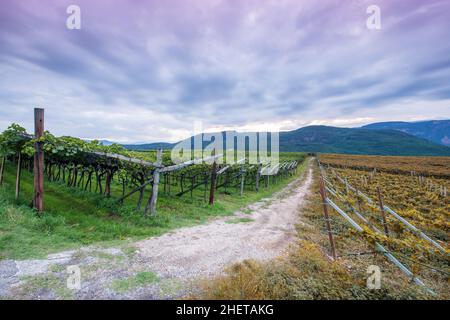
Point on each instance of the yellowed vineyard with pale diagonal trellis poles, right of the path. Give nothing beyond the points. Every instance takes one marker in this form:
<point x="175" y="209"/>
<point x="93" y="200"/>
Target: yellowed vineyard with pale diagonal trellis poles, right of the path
<point x="398" y="205"/>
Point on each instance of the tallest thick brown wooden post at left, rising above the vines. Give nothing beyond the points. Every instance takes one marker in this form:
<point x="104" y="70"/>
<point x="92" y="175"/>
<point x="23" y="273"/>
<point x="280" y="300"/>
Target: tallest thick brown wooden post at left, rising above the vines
<point x="38" y="201"/>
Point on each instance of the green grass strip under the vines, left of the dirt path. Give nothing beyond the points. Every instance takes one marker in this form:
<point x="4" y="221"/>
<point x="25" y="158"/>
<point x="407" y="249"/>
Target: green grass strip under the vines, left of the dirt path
<point x="75" y="218"/>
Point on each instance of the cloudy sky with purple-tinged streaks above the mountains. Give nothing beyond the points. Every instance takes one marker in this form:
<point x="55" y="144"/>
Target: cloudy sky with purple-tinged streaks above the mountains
<point x="146" y="71"/>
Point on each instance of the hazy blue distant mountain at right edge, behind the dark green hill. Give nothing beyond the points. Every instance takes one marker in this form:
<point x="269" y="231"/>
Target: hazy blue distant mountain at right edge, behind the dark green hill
<point x="437" y="131"/>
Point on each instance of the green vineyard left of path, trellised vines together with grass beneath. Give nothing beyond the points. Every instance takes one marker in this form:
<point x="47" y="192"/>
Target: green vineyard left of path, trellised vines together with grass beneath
<point x="102" y="193"/>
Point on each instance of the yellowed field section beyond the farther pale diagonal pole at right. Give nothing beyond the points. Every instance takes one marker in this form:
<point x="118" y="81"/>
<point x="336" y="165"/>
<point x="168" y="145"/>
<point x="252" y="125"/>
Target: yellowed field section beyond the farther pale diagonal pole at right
<point x="420" y="198"/>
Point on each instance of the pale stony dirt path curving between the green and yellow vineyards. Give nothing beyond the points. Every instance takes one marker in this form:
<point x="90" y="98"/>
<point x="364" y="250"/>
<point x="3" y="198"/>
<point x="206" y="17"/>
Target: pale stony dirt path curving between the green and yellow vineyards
<point x="165" y="266"/>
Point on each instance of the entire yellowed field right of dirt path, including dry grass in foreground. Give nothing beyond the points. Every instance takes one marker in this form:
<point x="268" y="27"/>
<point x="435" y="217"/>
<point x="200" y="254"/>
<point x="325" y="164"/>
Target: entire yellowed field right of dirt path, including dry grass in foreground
<point x="309" y="272"/>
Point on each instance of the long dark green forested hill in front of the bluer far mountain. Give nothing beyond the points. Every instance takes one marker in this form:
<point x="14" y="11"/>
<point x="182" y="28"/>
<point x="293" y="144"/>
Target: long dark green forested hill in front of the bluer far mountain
<point x="346" y="140"/>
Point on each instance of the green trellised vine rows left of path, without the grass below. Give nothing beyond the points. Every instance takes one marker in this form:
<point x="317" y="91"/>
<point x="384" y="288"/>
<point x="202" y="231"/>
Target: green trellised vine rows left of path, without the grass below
<point x="91" y="166"/>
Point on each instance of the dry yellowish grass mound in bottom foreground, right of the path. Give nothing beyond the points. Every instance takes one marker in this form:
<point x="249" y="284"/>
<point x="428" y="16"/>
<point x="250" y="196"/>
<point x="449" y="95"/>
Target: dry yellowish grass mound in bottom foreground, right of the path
<point x="305" y="274"/>
